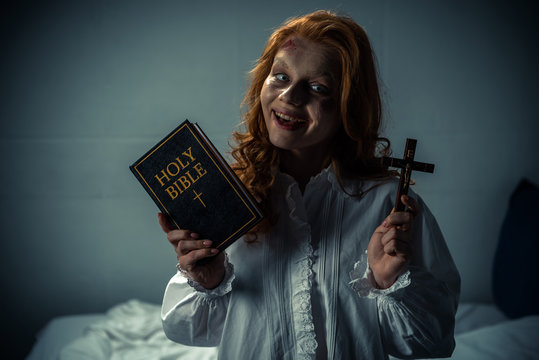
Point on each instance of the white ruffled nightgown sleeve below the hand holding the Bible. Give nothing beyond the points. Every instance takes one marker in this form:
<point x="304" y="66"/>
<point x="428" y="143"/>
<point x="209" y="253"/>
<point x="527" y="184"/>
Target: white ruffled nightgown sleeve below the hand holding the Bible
<point x="193" y="315"/>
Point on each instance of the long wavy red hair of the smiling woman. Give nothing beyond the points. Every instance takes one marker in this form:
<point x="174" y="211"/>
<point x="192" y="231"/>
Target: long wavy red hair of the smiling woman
<point x="356" y="148"/>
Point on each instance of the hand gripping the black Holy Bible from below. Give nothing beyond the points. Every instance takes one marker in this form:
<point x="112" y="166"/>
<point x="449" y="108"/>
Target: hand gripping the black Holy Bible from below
<point x="190" y="249"/>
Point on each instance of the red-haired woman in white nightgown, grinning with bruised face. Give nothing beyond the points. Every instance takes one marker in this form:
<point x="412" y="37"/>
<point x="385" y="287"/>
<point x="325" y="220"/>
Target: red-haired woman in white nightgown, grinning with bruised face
<point x="334" y="272"/>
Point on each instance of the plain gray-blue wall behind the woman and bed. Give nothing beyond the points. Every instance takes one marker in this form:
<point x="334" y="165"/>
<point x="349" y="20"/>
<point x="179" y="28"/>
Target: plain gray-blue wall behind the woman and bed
<point x="89" y="86"/>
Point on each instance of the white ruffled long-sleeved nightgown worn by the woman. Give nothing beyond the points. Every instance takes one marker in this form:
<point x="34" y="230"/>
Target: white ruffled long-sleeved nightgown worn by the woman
<point x="303" y="290"/>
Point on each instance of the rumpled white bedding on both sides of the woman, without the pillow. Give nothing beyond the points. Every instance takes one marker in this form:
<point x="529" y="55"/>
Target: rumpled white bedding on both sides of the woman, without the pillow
<point x="132" y="330"/>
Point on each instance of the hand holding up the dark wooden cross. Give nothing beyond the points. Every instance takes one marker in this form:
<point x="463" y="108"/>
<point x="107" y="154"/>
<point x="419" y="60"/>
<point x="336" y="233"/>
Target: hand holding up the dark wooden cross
<point x="390" y="247"/>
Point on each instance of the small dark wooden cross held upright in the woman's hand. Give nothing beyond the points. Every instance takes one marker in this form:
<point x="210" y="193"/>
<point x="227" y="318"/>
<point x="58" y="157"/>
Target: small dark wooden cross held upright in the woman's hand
<point x="407" y="164"/>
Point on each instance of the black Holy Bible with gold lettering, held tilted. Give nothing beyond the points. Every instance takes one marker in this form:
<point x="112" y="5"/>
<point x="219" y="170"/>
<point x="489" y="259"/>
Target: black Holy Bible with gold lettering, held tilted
<point x="191" y="182"/>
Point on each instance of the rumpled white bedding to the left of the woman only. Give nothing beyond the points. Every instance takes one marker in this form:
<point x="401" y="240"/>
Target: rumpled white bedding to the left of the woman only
<point x="130" y="330"/>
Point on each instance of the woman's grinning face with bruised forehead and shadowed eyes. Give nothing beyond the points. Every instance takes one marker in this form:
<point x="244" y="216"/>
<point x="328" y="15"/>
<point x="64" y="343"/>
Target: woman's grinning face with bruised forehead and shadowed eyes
<point x="300" y="97"/>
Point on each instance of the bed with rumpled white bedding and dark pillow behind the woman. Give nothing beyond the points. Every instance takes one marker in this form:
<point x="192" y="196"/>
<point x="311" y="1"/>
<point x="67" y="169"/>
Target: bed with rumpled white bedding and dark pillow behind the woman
<point x="508" y="328"/>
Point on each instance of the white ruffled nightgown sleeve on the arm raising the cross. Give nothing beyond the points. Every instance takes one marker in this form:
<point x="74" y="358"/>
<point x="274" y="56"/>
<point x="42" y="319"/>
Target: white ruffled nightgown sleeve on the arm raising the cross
<point x="417" y="313"/>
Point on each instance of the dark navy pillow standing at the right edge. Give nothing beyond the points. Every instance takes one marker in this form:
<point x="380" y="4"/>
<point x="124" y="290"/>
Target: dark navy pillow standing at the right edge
<point x="515" y="273"/>
